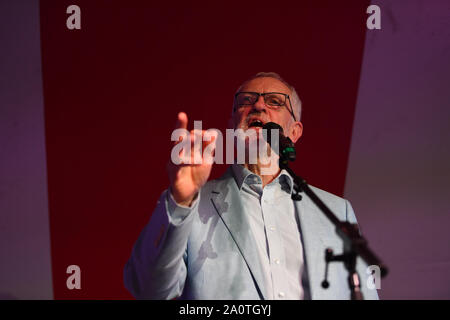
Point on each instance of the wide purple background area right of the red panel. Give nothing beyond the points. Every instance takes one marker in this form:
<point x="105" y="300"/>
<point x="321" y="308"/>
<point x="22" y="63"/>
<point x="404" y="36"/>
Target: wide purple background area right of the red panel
<point x="399" y="166"/>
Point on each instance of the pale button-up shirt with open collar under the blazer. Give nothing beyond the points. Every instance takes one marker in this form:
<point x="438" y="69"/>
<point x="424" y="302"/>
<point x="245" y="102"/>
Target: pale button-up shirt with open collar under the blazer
<point x="273" y="222"/>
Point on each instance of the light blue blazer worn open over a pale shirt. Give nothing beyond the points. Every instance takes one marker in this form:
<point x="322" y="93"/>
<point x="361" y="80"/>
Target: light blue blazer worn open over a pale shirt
<point x="208" y="252"/>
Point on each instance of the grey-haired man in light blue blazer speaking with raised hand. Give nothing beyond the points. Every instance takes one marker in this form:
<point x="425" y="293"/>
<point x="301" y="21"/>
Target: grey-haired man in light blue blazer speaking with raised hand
<point x="241" y="236"/>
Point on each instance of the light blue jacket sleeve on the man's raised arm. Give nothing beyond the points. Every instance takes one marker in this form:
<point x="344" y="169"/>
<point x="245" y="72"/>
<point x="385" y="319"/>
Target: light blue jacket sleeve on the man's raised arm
<point x="157" y="268"/>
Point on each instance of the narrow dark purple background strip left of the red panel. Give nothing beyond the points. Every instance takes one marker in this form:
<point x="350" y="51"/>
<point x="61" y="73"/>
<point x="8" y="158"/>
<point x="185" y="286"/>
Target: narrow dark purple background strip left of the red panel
<point x="25" y="266"/>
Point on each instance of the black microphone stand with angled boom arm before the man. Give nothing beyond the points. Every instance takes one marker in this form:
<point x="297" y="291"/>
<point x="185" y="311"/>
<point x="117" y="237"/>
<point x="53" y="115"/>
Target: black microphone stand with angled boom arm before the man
<point x="354" y="244"/>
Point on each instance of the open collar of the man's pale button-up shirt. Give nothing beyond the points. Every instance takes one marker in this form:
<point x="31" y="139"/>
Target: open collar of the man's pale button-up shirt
<point x="243" y="175"/>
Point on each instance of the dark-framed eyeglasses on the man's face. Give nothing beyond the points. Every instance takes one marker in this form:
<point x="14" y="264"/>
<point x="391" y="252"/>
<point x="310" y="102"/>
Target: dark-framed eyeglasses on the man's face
<point x="273" y="100"/>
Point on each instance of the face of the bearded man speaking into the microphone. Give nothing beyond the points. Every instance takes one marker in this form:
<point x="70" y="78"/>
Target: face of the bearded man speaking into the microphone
<point x="245" y="117"/>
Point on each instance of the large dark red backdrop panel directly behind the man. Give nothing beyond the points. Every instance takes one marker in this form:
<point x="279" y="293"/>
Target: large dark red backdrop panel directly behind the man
<point x="112" y="91"/>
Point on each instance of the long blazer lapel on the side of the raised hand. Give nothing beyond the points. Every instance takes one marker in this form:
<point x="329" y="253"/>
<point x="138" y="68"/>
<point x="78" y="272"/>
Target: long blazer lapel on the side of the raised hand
<point x="226" y="201"/>
